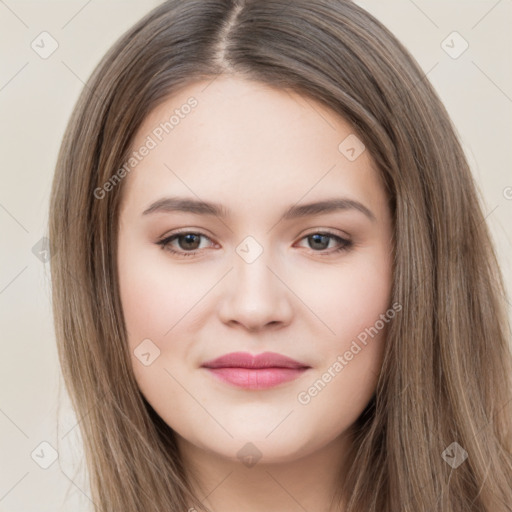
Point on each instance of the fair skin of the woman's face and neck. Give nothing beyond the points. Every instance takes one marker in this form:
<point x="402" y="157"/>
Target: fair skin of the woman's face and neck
<point x="257" y="151"/>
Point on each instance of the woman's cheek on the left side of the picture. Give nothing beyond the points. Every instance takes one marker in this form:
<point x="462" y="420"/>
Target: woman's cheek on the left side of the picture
<point x="163" y="306"/>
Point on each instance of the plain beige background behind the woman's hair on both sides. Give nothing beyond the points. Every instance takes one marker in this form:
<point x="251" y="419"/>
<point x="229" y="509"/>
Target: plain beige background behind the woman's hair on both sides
<point x="36" y="99"/>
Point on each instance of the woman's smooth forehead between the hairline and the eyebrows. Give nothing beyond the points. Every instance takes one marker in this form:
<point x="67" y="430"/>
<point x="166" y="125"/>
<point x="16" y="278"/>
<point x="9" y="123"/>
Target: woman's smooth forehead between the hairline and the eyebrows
<point x="242" y="142"/>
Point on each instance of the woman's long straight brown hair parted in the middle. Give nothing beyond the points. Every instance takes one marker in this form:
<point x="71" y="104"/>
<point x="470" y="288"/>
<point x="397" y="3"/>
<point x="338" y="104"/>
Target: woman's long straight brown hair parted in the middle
<point x="447" y="372"/>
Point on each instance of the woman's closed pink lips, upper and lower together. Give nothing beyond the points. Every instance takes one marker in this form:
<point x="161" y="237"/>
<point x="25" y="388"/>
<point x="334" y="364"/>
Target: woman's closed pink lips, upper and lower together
<point x="255" y="372"/>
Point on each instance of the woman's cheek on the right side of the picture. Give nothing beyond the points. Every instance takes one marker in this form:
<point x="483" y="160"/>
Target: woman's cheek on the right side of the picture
<point x="355" y="311"/>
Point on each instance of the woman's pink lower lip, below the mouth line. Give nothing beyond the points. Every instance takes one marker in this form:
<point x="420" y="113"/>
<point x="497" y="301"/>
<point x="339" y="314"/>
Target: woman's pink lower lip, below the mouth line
<point x="257" y="378"/>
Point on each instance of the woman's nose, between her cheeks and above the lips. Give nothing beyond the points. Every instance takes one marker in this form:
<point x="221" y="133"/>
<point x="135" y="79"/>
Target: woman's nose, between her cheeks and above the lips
<point x="255" y="295"/>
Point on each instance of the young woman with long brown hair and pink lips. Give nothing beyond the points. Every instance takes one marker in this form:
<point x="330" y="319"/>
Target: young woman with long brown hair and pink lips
<point x="256" y="369"/>
